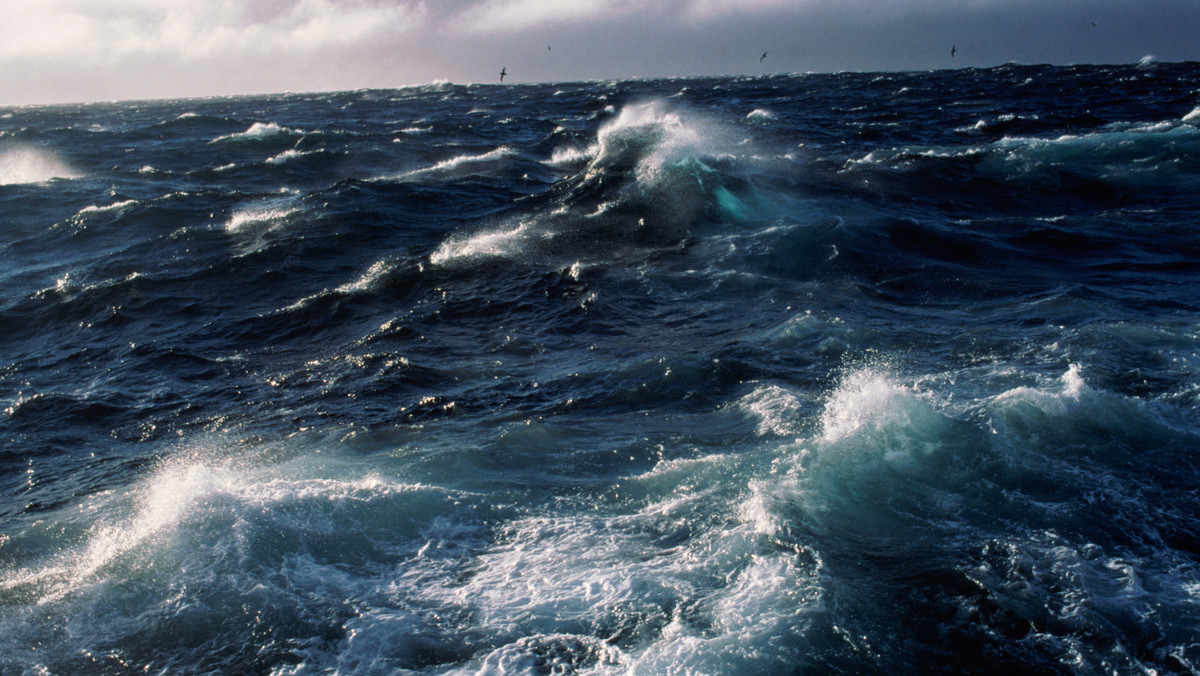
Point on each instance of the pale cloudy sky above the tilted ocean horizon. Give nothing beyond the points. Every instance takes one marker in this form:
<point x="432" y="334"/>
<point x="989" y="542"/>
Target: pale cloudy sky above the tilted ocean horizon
<point x="83" y="51"/>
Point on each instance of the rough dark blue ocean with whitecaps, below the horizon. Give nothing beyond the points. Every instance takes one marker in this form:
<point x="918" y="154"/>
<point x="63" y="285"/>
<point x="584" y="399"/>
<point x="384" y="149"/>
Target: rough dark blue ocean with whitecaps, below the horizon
<point x="812" y="374"/>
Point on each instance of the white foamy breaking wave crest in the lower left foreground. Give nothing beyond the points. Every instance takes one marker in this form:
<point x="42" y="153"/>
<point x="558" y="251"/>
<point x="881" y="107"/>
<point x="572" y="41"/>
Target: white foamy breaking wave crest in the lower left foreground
<point x="225" y="504"/>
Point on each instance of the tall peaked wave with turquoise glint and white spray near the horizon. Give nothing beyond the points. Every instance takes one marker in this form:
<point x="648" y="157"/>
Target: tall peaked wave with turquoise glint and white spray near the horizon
<point x="653" y="175"/>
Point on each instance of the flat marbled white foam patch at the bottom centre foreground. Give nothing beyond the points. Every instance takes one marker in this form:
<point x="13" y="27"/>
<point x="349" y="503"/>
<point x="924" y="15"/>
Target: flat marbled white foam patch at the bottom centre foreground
<point x="550" y="576"/>
